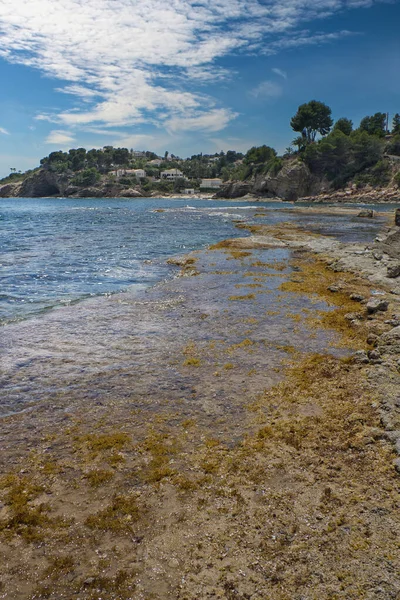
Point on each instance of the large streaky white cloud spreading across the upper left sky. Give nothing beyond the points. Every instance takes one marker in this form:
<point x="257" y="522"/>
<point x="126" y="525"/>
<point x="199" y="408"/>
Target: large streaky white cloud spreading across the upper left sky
<point x="128" y="62"/>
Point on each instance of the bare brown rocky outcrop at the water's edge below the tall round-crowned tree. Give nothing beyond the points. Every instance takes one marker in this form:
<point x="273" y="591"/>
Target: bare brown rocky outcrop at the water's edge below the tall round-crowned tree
<point x="293" y="181"/>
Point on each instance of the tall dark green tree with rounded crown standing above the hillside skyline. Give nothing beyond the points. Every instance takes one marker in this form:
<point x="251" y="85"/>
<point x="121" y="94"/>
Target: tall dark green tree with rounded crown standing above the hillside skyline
<point x="312" y="118"/>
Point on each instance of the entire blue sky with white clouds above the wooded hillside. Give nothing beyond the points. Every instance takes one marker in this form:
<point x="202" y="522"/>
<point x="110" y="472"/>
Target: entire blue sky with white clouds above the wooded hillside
<point x="186" y="76"/>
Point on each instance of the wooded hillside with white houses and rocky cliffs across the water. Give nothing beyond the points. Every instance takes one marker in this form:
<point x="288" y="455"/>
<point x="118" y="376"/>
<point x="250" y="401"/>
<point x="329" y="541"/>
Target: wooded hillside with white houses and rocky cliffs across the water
<point x="343" y="158"/>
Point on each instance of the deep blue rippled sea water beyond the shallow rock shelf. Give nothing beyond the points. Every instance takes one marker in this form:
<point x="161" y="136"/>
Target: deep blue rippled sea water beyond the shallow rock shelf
<point x="55" y="252"/>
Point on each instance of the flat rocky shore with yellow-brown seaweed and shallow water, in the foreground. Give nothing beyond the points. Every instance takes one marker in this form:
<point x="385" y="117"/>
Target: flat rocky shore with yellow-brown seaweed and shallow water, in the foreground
<point x="245" y="464"/>
